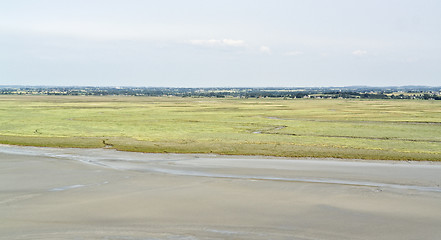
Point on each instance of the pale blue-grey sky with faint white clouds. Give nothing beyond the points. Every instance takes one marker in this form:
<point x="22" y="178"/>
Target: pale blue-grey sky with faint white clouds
<point x="220" y="43"/>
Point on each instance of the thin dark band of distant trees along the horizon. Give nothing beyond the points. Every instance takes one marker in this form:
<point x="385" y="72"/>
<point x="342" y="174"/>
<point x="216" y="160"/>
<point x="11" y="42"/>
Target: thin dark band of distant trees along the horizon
<point x="406" y="92"/>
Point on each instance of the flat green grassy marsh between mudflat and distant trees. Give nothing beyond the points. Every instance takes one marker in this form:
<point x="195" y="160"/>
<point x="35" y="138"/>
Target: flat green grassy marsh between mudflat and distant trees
<point x="365" y="129"/>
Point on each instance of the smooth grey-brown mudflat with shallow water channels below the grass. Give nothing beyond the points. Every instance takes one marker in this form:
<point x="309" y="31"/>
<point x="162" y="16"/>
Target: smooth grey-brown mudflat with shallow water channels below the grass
<point x="49" y="193"/>
